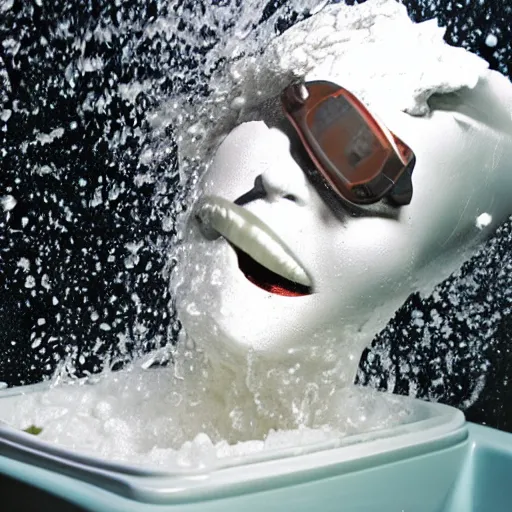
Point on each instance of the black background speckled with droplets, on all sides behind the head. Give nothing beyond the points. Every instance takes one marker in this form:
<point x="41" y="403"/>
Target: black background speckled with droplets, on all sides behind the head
<point x="82" y="251"/>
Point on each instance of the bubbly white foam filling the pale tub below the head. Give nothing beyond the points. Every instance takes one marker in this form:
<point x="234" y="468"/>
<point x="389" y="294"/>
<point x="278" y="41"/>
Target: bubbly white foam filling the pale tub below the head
<point x="149" y="418"/>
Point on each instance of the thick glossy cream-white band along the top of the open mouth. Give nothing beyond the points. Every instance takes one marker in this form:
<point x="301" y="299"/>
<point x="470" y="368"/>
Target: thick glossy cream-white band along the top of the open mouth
<point x="244" y="230"/>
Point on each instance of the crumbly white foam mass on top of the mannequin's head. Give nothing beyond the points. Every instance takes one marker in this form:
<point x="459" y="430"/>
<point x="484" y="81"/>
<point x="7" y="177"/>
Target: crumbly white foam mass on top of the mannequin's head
<point x="373" y="49"/>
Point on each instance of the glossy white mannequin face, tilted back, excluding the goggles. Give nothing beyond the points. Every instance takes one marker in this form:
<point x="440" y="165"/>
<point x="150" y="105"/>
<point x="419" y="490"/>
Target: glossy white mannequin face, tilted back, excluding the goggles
<point x="361" y="263"/>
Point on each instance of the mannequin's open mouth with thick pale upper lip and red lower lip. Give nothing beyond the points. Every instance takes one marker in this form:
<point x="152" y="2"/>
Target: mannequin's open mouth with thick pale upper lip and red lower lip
<point x="265" y="260"/>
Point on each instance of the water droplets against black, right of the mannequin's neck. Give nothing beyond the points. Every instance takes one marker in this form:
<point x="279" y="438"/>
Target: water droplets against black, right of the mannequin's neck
<point x="448" y="342"/>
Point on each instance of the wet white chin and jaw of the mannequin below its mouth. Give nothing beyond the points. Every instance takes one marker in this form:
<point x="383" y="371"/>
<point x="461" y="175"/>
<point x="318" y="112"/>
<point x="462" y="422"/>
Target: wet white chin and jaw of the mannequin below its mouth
<point x="244" y="325"/>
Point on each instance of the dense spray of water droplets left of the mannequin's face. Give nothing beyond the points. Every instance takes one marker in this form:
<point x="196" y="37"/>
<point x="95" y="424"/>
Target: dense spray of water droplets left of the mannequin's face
<point x="92" y="196"/>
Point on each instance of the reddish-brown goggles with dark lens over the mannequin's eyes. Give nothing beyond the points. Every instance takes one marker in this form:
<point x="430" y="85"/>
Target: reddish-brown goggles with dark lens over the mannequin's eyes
<point x="361" y="160"/>
